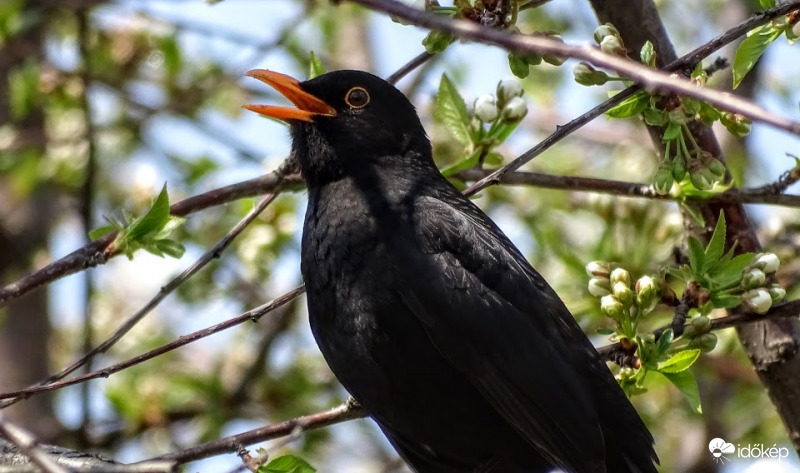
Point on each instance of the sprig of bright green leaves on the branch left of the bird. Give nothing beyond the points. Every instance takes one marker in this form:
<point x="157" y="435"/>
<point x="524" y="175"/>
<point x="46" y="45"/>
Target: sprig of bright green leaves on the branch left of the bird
<point x="149" y="232"/>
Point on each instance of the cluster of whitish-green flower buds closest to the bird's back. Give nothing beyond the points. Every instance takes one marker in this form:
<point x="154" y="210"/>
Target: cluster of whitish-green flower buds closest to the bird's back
<point x="613" y="287"/>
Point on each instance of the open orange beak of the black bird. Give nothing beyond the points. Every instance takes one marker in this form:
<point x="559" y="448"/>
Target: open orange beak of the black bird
<point x="308" y="106"/>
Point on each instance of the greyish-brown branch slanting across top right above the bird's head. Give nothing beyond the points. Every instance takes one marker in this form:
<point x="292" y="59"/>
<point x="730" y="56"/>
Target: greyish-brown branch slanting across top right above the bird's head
<point x="653" y="80"/>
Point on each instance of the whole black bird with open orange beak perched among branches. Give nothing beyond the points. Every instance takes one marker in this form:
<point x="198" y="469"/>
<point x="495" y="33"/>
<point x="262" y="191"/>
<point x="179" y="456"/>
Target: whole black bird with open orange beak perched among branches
<point x="426" y="312"/>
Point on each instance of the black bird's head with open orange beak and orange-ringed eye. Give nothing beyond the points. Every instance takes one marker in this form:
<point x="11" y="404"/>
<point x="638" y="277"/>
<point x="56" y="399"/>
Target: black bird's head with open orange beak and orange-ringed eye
<point x="345" y="121"/>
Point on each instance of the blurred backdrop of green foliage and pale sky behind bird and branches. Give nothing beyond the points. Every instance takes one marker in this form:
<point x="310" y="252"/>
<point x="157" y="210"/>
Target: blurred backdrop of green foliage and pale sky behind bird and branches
<point x="103" y="102"/>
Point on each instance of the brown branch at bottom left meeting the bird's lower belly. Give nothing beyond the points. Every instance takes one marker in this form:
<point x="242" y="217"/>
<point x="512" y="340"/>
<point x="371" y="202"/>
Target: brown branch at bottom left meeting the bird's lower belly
<point x="347" y="411"/>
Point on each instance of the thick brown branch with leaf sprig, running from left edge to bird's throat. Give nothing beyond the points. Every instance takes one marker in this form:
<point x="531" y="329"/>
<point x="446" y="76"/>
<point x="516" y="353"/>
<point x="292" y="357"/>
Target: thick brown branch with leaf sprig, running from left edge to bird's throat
<point x="100" y="251"/>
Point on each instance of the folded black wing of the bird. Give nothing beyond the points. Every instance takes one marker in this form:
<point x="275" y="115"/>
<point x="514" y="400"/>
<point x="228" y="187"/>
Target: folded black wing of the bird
<point x="499" y="323"/>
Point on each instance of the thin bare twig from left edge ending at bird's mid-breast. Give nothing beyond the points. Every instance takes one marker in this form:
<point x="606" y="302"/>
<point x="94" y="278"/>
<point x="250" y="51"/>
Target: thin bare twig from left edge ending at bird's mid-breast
<point x="252" y="315"/>
